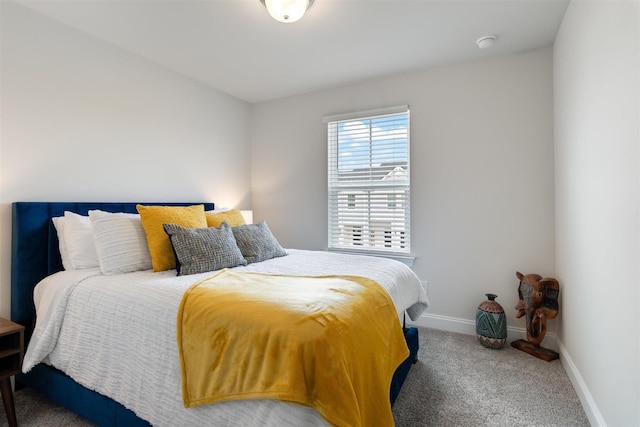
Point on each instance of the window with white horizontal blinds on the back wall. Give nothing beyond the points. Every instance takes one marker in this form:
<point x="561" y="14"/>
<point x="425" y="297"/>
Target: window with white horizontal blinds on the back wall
<point x="369" y="186"/>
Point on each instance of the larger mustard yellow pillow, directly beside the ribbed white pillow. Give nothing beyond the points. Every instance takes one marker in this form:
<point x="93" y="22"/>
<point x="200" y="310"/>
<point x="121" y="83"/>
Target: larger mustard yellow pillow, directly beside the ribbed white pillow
<point x="152" y="218"/>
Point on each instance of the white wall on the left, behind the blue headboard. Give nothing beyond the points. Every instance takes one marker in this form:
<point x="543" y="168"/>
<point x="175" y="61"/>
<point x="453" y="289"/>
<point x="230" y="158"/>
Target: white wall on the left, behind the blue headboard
<point x="85" y="121"/>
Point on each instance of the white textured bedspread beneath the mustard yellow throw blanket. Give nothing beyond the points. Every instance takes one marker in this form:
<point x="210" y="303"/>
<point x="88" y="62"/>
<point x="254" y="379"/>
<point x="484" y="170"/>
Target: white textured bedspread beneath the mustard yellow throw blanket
<point x="117" y="335"/>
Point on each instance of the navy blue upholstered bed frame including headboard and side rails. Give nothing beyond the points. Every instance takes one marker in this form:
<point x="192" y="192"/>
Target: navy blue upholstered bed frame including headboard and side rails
<point x="35" y="255"/>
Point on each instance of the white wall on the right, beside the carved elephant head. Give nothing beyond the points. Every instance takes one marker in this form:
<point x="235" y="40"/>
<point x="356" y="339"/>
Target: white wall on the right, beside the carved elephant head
<point x="597" y="133"/>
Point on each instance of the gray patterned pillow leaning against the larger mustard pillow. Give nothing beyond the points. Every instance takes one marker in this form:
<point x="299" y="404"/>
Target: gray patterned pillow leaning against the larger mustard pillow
<point x="199" y="250"/>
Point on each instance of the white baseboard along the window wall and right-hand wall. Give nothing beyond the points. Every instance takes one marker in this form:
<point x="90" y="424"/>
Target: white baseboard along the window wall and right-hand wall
<point x="468" y="327"/>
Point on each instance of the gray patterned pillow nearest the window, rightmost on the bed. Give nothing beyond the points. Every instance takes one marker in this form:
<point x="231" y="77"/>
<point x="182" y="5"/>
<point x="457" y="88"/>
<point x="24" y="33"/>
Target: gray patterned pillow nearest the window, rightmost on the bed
<point x="256" y="242"/>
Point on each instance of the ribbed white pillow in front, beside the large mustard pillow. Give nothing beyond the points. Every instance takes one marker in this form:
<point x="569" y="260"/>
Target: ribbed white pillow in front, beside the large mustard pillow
<point x="120" y="241"/>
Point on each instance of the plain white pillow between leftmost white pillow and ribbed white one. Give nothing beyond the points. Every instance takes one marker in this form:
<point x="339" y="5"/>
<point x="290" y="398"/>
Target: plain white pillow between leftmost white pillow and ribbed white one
<point x="78" y="237"/>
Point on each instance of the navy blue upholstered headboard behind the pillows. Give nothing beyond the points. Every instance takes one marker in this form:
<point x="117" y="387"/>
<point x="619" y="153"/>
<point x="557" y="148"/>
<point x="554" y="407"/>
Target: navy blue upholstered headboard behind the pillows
<point x="34" y="247"/>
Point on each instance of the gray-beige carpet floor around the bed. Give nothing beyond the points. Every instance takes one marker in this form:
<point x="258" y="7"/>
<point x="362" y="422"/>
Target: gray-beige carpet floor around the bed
<point x="456" y="382"/>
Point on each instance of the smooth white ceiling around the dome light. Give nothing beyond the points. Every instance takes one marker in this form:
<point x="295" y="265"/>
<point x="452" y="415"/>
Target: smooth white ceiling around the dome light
<point x="236" y="47"/>
